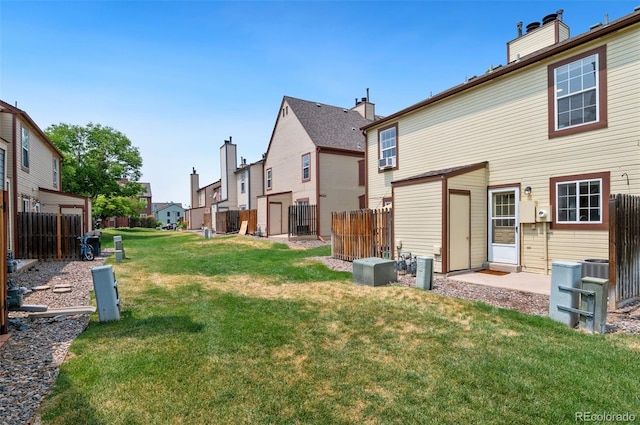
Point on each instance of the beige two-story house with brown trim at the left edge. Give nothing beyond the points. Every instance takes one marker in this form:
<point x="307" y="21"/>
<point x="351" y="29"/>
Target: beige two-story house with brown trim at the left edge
<point x="30" y="168"/>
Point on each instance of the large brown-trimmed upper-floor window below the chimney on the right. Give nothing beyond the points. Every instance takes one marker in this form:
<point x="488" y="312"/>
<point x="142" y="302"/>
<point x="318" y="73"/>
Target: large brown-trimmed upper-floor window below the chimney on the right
<point x="578" y="93"/>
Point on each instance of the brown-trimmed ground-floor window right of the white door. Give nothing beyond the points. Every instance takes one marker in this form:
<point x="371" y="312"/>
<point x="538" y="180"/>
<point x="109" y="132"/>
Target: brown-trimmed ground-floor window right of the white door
<point x="580" y="201"/>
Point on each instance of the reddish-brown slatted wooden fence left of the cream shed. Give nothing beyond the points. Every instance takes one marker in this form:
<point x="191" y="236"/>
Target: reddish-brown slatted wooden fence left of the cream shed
<point x="361" y="234"/>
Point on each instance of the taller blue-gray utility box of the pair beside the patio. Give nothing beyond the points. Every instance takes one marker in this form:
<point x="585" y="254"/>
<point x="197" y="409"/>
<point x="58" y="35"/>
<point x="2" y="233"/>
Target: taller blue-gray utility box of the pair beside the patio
<point x="565" y="274"/>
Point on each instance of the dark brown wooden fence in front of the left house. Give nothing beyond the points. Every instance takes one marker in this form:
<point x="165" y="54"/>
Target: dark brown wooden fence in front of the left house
<point x="48" y="236"/>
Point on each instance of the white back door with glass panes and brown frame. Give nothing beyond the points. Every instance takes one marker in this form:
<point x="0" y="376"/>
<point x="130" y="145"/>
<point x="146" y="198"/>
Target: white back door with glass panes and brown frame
<point x="504" y="237"/>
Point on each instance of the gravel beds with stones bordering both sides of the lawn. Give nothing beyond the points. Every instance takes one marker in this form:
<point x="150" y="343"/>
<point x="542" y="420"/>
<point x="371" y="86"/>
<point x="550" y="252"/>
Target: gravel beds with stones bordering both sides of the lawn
<point x="30" y="360"/>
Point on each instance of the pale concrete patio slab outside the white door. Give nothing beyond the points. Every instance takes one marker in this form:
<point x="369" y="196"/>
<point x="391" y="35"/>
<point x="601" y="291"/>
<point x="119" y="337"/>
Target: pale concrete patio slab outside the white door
<point x="527" y="282"/>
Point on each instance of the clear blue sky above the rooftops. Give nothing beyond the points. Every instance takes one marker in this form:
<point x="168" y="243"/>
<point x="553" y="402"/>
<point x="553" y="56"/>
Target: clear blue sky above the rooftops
<point x="180" y="77"/>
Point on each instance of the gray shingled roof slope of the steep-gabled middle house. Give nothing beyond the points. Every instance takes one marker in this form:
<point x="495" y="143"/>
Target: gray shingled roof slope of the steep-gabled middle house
<point x="329" y="126"/>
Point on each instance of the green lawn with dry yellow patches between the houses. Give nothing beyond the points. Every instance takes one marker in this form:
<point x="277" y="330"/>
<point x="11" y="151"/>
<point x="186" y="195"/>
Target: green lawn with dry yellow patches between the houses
<point x="235" y="330"/>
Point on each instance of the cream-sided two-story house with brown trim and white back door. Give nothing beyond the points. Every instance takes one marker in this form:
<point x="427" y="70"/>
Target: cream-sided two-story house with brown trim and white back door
<point x="513" y="169"/>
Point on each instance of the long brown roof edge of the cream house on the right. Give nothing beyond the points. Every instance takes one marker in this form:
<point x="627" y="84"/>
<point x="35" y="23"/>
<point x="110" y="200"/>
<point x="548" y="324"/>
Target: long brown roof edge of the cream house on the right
<point x="531" y="59"/>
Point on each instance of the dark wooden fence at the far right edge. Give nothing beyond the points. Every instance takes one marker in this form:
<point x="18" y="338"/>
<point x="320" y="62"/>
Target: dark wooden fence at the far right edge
<point x="624" y="247"/>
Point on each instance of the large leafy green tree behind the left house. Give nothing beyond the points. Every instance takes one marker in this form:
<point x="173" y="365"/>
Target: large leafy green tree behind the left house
<point x="97" y="159"/>
